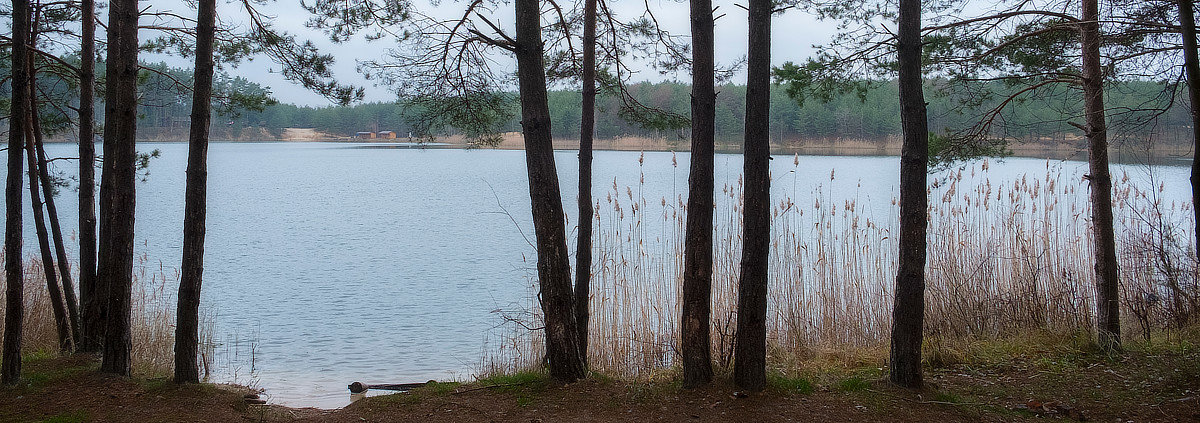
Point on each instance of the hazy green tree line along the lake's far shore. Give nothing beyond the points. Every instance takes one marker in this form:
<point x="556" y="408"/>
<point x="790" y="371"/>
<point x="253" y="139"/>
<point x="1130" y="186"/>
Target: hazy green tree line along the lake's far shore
<point x="872" y="116"/>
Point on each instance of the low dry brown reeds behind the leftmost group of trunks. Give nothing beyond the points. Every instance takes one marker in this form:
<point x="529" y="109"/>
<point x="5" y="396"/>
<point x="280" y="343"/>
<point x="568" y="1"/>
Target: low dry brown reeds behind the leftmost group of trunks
<point x="153" y="318"/>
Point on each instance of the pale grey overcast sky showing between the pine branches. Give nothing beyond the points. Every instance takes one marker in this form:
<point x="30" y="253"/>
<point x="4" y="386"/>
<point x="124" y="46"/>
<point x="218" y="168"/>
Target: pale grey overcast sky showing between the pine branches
<point x="794" y="34"/>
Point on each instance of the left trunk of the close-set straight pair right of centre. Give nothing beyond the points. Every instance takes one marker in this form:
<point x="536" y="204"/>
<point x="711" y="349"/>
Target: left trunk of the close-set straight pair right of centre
<point x="698" y="263"/>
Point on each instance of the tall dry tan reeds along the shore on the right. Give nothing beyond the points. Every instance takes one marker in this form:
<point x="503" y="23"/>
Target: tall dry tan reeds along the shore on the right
<point x="1006" y="261"/>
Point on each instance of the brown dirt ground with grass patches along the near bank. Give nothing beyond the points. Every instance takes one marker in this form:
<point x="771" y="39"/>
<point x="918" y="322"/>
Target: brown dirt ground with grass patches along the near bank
<point x="1153" y="385"/>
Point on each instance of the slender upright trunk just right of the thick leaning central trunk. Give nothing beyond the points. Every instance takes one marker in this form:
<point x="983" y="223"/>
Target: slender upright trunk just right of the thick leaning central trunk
<point x="587" y="133"/>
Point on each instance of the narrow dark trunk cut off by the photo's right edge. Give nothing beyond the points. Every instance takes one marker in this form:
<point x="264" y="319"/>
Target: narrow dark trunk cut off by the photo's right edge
<point x="1192" y="69"/>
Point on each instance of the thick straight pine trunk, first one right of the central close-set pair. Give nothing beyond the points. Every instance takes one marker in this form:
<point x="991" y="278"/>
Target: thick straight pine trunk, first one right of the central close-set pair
<point x="909" y="312"/>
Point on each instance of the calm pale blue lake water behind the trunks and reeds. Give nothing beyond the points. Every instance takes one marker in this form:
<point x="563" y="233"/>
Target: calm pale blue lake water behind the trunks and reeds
<point x="334" y="263"/>
